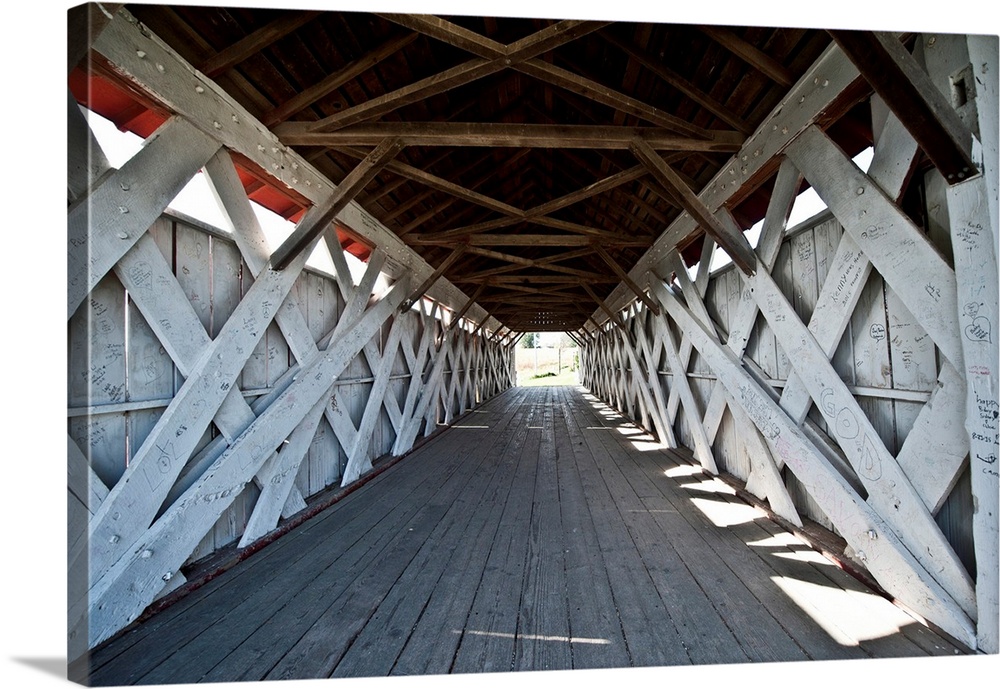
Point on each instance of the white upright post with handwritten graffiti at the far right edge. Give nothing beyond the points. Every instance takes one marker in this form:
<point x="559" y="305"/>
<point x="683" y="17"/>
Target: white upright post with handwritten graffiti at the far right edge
<point x="973" y="229"/>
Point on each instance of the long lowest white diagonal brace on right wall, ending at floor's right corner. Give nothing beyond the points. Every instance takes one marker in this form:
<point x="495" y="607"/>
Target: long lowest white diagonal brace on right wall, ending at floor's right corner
<point x="889" y="561"/>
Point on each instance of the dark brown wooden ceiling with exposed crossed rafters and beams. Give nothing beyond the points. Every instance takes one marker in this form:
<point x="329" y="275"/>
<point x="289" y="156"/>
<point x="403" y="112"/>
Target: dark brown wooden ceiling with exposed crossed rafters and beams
<point x="517" y="174"/>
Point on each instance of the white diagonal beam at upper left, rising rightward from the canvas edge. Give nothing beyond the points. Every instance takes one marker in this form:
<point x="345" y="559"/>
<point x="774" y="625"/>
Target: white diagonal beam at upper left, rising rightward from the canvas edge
<point x="105" y="223"/>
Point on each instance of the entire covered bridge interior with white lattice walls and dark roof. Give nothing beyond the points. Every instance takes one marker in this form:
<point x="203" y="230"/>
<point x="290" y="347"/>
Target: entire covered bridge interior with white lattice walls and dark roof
<point x="627" y="183"/>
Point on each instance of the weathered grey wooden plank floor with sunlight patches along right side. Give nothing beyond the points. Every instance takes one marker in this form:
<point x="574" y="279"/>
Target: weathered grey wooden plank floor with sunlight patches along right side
<point x="542" y="532"/>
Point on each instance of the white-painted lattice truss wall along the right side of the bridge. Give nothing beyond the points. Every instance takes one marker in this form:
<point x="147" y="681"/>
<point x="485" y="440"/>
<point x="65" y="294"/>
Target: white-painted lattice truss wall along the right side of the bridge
<point x="853" y="377"/>
